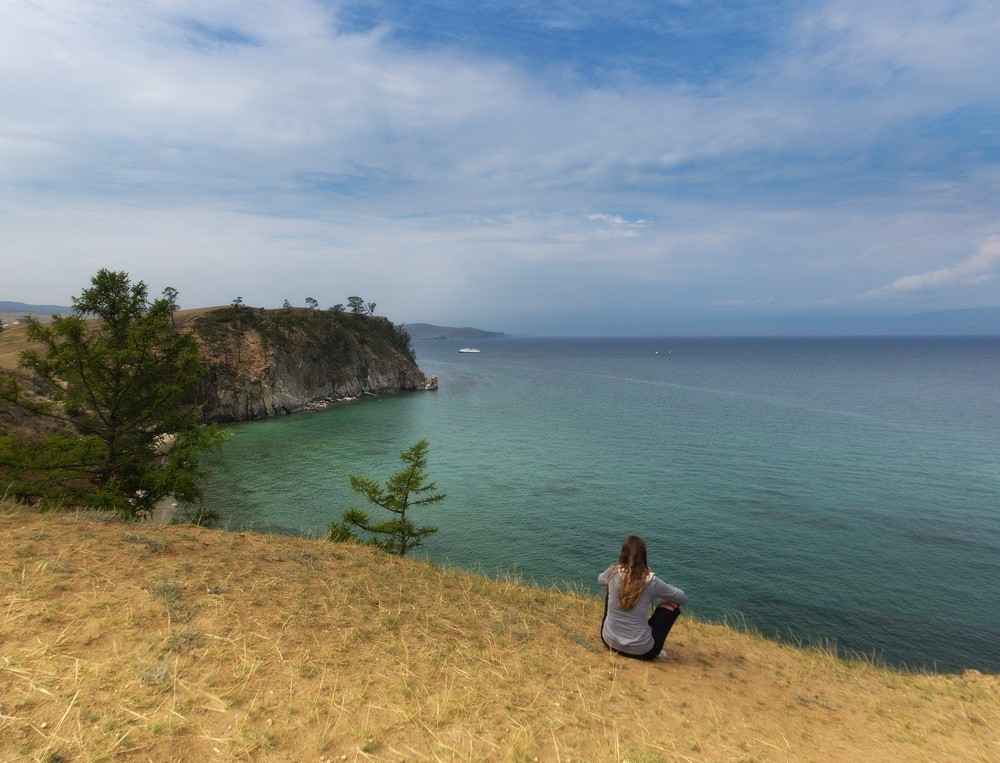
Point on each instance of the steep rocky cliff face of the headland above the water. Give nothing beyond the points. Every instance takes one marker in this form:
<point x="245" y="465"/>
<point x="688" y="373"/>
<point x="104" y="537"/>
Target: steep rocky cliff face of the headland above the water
<point x="271" y="362"/>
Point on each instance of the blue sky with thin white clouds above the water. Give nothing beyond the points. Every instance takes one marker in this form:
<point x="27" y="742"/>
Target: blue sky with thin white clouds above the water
<point x="531" y="167"/>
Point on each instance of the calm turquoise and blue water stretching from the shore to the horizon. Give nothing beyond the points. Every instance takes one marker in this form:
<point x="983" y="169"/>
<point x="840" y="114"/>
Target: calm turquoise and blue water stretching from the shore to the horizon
<point x="844" y="489"/>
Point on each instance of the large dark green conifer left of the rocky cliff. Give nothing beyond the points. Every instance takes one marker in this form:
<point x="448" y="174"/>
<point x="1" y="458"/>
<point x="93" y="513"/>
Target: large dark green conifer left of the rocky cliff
<point x="123" y="375"/>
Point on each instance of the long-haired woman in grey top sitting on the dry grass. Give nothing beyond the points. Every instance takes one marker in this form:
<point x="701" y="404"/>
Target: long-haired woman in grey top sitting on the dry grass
<point x="632" y="586"/>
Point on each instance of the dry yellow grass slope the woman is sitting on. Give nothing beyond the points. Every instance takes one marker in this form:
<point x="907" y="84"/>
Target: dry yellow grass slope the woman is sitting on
<point x="131" y="642"/>
